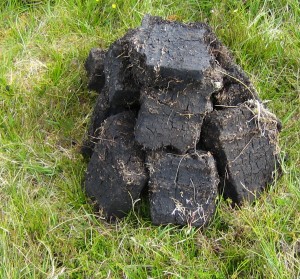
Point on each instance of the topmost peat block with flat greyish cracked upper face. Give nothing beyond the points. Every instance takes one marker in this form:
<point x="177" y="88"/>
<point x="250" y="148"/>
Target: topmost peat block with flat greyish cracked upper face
<point x="167" y="53"/>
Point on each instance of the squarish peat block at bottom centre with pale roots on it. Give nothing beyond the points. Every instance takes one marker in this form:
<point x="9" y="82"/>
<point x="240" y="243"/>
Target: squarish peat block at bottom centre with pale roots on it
<point x="183" y="188"/>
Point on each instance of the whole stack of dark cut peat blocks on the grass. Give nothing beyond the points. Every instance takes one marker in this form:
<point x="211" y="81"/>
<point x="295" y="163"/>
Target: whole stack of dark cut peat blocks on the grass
<point x="175" y="116"/>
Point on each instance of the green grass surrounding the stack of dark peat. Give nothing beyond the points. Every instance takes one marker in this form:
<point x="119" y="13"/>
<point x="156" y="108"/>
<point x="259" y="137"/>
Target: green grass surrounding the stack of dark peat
<point x="47" y="227"/>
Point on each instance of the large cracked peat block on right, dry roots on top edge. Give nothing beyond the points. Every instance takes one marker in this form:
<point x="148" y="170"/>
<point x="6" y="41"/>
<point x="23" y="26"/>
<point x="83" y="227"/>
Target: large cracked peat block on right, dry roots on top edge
<point x="244" y="147"/>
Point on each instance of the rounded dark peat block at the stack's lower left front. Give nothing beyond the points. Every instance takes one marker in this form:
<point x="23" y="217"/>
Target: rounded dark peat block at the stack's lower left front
<point x="116" y="173"/>
